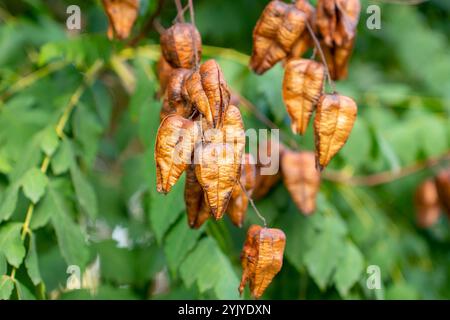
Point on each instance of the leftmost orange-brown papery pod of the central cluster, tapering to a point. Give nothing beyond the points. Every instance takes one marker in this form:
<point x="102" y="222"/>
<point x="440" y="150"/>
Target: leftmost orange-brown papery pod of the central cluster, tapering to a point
<point x="173" y="150"/>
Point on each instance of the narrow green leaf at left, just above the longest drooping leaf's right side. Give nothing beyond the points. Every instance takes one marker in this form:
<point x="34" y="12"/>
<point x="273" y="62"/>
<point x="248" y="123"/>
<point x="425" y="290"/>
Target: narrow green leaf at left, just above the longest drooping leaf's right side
<point x="84" y="191"/>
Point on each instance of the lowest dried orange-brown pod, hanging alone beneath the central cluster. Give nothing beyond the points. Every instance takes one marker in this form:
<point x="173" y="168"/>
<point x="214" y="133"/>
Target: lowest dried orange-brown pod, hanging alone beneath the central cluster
<point x="261" y="258"/>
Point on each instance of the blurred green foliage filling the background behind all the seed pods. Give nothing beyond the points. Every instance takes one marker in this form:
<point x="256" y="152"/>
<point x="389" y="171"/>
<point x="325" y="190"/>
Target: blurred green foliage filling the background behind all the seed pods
<point x="89" y="186"/>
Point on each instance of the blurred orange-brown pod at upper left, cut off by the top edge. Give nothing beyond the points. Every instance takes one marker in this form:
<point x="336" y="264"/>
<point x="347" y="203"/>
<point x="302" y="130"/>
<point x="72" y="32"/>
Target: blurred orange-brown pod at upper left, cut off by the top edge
<point x="121" y="15"/>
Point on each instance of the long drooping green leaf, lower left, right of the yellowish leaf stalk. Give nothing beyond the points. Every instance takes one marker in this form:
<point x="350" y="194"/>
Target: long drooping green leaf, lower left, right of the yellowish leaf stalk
<point x="70" y="238"/>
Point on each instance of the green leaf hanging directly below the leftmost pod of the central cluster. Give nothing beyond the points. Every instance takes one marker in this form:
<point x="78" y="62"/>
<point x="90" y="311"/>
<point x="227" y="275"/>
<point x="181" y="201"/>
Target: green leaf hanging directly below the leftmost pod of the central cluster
<point x="165" y="209"/>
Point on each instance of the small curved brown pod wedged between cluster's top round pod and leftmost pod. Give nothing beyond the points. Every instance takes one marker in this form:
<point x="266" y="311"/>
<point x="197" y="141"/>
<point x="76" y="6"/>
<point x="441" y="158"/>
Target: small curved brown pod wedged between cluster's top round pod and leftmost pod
<point x="176" y="92"/>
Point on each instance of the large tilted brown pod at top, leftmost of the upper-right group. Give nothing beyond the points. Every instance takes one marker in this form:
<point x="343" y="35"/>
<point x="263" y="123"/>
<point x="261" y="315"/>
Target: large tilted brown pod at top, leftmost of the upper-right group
<point x="276" y="31"/>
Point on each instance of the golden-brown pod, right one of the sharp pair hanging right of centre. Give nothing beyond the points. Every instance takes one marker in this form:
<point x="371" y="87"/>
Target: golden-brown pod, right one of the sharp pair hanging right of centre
<point x="334" y="121"/>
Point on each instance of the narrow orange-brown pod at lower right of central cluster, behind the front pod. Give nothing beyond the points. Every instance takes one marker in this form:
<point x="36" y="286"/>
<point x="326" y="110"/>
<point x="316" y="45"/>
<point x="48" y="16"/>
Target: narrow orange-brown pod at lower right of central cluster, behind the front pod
<point x="237" y="207"/>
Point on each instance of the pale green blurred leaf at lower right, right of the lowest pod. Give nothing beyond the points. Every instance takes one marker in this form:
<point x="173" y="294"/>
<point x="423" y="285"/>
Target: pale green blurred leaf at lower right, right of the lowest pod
<point x="349" y="268"/>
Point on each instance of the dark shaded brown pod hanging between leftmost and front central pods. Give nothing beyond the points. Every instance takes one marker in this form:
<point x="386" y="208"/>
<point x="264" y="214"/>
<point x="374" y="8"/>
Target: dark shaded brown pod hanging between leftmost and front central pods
<point x="196" y="207"/>
